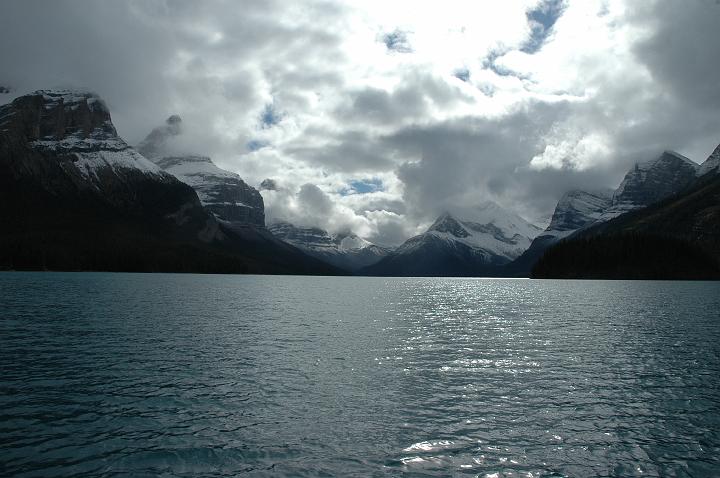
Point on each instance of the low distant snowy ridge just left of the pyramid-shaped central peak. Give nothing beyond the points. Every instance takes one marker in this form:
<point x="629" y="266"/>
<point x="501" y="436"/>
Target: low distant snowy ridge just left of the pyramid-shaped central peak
<point x="345" y="250"/>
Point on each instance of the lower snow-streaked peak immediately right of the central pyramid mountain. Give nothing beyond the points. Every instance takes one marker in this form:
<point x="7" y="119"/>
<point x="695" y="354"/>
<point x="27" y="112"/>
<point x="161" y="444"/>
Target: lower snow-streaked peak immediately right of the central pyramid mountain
<point x="575" y="210"/>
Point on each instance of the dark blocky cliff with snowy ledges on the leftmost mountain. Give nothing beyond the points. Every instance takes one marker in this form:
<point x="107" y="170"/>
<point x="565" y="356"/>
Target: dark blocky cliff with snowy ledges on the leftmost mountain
<point x="67" y="139"/>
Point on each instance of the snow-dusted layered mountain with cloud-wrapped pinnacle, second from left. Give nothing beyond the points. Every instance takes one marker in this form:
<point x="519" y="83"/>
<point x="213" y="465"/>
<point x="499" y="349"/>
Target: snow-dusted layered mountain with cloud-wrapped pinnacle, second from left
<point x="222" y="192"/>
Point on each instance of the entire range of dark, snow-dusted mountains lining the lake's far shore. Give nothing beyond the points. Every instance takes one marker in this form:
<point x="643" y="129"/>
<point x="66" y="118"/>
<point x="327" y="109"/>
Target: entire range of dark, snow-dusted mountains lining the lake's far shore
<point x="76" y="196"/>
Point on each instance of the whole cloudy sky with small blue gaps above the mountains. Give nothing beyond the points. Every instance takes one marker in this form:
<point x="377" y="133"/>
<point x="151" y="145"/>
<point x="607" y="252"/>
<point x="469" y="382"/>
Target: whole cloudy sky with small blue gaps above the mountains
<point x="376" y="115"/>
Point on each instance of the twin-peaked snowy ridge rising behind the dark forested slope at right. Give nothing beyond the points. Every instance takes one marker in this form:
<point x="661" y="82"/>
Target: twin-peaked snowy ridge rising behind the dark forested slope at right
<point x="645" y="184"/>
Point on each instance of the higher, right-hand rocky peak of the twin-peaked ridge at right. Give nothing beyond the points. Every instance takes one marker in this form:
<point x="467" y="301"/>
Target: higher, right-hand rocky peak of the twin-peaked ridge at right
<point x="652" y="181"/>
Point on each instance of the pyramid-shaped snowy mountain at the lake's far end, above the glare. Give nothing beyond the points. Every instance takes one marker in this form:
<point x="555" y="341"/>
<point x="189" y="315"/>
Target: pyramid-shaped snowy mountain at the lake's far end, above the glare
<point x="452" y="246"/>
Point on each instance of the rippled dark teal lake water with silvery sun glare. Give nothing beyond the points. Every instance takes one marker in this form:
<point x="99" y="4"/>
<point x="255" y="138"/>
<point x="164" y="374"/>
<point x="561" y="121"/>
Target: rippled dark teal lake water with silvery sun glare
<point x="192" y="375"/>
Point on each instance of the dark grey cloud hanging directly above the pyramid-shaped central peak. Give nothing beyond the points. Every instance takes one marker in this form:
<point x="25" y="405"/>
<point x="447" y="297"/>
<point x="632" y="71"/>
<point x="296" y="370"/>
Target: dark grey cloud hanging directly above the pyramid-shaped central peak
<point x="465" y="161"/>
